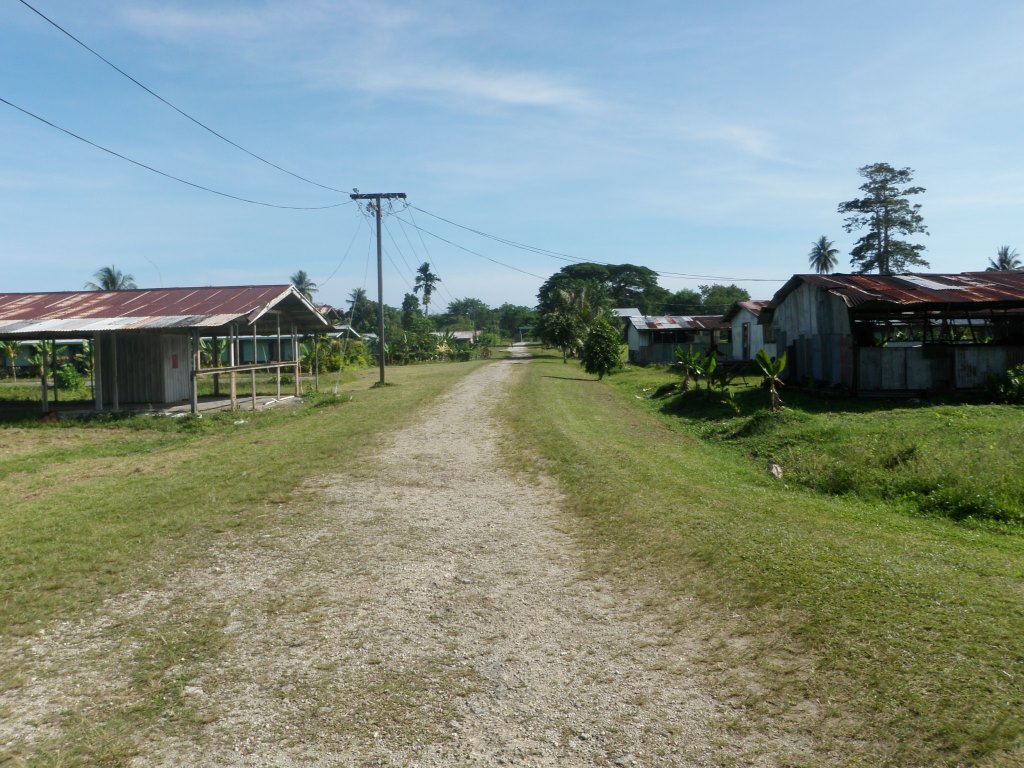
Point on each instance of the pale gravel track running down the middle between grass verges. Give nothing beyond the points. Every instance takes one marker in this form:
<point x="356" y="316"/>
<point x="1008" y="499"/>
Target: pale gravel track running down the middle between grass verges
<point x="436" y="614"/>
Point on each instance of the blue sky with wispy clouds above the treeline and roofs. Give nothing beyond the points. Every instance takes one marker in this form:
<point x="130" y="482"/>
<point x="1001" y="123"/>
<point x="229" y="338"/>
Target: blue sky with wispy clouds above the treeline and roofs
<point x="698" y="139"/>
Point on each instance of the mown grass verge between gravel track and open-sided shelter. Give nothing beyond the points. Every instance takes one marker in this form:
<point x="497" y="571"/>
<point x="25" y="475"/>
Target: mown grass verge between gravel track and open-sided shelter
<point x="90" y="508"/>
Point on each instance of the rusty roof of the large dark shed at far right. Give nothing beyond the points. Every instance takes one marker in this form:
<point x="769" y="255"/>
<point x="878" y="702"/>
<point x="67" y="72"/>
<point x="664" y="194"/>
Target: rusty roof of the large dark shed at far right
<point x="996" y="289"/>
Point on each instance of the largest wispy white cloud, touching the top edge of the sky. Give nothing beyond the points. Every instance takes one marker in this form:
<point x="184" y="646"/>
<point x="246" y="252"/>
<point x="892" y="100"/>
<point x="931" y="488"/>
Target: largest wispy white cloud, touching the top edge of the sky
<point x="359" y="45"/>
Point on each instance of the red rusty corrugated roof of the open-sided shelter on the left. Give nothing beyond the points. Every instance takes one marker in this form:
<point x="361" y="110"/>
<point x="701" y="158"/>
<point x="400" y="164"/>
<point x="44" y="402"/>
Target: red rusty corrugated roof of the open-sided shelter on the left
<point x="61" y="314"/>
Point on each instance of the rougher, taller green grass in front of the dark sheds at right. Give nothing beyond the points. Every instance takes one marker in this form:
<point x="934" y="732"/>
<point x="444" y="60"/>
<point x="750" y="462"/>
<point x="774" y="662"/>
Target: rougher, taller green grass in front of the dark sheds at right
<point x="955" y="460"/>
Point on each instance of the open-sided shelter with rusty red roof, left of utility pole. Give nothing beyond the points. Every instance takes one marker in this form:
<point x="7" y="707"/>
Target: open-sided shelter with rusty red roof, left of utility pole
<point x="146" y="344"/>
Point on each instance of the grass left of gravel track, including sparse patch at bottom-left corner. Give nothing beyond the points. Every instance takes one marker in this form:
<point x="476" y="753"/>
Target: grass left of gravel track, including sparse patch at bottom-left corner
<point x="95" y="509"/>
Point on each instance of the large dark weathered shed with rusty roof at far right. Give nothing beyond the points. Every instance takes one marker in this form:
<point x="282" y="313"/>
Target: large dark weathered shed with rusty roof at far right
<point x="902" y="333"/>
